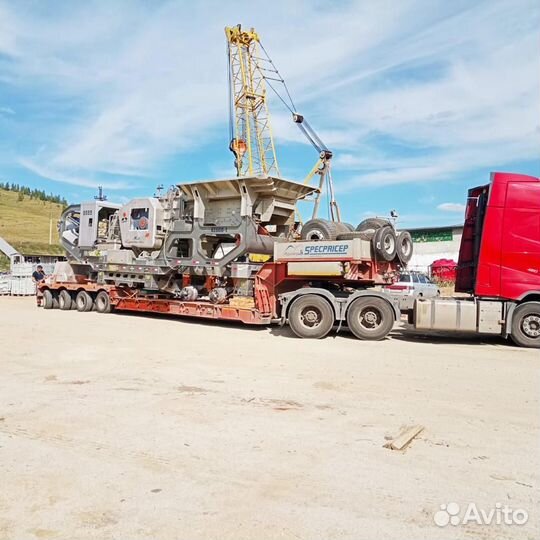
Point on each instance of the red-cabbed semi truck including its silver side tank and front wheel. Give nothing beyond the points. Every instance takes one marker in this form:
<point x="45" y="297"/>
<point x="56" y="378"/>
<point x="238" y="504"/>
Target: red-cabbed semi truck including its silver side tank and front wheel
<point x="498" y="265"/>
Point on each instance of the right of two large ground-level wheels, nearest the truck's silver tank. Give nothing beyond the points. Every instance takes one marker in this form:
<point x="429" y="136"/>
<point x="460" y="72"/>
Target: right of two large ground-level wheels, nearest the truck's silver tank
<point x="370" y="318"/>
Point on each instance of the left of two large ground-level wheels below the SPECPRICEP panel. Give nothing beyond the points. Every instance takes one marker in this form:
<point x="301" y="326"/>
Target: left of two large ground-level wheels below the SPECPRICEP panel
<point x="311" y="316"/>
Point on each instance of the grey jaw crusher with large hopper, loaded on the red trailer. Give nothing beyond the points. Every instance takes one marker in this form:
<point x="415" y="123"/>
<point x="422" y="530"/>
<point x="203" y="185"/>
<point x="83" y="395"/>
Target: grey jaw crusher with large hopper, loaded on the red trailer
<point x="198" y="238"/>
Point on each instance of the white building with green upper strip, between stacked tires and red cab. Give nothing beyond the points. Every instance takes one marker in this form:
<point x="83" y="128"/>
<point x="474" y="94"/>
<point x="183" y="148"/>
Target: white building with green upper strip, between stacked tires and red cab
<point x="433" y="243"/>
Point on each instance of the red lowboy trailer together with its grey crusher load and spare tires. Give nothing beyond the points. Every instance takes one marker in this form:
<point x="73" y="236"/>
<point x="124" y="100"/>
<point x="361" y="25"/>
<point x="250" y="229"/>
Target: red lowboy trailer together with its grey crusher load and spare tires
<point x="229" y="249"/>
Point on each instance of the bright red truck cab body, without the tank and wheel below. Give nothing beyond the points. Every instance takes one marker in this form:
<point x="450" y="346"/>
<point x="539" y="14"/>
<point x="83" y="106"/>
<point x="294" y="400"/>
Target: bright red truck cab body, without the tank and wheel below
<point x="500" y="249"/>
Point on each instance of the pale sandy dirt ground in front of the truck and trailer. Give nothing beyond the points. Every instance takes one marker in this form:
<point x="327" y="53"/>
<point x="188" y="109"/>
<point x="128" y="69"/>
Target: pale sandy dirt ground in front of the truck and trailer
<point x="136" y="427"/>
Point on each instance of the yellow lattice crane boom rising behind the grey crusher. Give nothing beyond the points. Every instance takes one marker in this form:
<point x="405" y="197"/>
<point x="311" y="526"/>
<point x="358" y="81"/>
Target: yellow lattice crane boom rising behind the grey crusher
<point x="251" y="134"/>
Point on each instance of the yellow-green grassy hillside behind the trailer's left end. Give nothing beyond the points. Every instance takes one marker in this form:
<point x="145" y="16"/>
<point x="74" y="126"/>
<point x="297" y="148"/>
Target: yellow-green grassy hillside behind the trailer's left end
<point x="25" y="221"/>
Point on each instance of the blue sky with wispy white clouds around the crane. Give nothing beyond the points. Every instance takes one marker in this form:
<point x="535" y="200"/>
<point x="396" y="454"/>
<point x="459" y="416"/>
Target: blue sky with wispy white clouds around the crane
<point x="419" y="100"/>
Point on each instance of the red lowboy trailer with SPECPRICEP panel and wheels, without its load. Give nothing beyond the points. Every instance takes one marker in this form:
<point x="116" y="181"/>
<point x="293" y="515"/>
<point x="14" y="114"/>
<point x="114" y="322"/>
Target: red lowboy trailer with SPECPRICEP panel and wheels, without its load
<point x="312" y="286"/>
